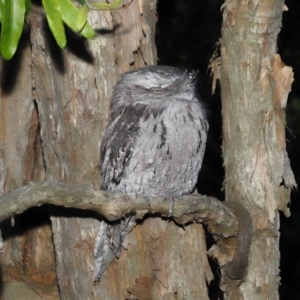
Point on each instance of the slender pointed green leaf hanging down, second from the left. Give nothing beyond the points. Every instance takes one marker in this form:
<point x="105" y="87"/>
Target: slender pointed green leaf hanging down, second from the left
<point x="54" y="18"/>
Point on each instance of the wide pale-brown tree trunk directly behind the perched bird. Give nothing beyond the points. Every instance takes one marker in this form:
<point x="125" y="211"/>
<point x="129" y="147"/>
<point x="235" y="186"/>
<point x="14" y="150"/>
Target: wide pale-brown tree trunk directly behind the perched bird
<point x="72" y="91"/>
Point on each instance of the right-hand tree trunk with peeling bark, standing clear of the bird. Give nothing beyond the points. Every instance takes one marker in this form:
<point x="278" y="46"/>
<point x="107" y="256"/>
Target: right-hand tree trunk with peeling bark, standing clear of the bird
<point x="255" y="84"/>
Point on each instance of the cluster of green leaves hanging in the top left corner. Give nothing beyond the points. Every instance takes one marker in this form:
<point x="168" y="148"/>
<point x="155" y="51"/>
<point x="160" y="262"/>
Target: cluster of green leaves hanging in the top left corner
<point x="58" y="13"/>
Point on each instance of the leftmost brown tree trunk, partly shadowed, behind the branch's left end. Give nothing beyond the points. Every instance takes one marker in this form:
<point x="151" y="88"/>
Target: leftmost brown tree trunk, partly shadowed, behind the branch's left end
<point x="27" y="271"/>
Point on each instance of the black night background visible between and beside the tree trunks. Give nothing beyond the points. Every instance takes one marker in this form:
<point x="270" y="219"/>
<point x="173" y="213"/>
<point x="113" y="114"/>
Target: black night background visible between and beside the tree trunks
<point x="187" y="32"/>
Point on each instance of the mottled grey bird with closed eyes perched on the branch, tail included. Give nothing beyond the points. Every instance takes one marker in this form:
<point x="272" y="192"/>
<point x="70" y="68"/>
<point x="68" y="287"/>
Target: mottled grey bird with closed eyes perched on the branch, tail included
<point x="153" y="145"/>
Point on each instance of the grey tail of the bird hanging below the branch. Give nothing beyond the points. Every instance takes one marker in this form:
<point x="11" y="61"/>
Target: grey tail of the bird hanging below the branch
<point x="109" y="243"/>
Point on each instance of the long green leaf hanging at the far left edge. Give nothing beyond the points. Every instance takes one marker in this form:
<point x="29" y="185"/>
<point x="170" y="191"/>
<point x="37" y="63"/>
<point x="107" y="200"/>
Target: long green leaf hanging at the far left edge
<point x="12" y="26"/>
